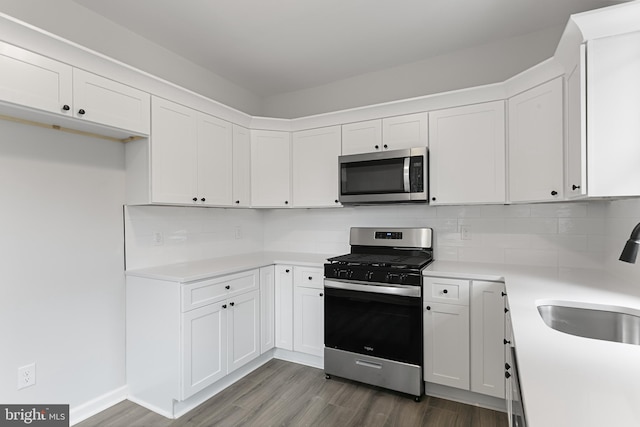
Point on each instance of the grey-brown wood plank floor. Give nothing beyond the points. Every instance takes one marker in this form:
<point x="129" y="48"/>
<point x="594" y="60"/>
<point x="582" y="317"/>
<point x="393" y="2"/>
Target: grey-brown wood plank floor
<point x="287" y="394"/>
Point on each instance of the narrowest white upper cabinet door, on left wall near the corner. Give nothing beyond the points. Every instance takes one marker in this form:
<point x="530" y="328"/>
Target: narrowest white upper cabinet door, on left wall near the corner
<point x="241" y="167"/>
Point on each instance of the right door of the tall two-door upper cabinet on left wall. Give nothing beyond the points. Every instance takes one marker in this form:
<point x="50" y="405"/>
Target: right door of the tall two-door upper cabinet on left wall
<point x="214" y="160"/>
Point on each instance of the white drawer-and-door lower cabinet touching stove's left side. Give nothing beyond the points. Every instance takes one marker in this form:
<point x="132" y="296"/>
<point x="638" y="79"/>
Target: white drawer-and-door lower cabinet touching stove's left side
<point x="308" y="311"/>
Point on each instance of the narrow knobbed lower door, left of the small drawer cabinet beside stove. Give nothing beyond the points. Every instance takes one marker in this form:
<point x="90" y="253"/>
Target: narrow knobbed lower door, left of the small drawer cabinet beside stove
<point x="284" y="307"/>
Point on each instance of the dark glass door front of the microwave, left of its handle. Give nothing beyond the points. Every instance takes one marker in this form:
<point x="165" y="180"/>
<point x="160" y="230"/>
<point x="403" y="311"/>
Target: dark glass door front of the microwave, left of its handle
<point x="373" y="177"/>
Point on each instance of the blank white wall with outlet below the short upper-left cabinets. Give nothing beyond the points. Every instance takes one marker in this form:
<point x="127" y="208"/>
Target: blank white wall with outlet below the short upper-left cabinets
<point x="62" y="249"/>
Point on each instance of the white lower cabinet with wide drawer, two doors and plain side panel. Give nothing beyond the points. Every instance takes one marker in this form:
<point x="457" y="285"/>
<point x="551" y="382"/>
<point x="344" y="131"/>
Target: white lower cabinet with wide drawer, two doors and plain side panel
<point x="183" y="337"/>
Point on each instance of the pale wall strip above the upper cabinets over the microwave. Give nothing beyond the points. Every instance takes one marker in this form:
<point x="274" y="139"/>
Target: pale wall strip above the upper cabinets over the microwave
<point x="490" y="63"/>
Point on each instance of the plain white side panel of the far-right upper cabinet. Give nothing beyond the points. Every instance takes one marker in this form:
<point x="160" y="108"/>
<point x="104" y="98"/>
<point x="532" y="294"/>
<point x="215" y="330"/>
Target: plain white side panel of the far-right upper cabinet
<point x="613" y="116"/>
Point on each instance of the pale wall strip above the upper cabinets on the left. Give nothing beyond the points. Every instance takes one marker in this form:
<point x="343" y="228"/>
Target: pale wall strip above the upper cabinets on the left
<point x="74" y="22"/>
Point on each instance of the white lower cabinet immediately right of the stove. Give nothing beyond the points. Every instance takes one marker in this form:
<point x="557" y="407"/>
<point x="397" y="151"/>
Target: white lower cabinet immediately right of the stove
<point x="463" y="335"/>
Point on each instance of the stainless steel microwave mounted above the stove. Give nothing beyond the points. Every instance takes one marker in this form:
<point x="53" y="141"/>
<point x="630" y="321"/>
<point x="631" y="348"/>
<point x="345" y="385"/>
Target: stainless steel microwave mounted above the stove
<point x="384" y="177"/>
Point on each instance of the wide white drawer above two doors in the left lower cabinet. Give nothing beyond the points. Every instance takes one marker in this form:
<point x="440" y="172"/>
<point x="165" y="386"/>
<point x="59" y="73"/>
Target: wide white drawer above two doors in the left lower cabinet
<point x="199" y="294"/>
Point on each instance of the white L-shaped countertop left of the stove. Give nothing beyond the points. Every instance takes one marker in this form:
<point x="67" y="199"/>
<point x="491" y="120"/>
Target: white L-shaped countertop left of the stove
<point x="203" y="269"/>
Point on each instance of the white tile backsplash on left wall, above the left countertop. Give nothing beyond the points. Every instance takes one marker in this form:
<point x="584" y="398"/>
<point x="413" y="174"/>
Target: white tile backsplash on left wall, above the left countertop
<point x="189" y="234"/>
